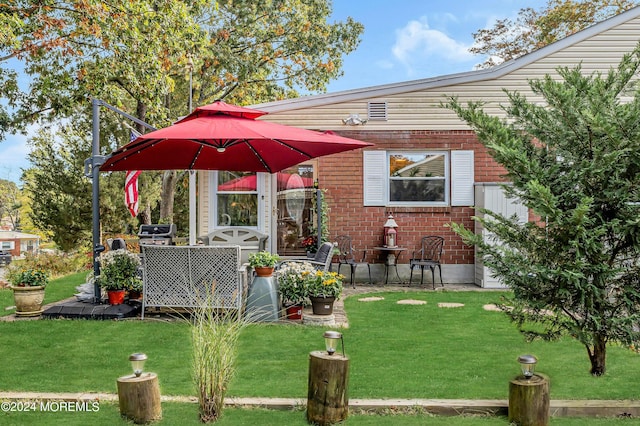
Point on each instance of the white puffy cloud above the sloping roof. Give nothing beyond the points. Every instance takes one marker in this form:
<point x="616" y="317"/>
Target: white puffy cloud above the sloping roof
<point x="417" y="43"/>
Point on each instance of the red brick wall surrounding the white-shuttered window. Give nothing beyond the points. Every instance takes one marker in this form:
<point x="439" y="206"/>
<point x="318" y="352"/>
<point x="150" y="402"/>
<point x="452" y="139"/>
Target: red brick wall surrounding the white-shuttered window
<point x="341" y="176"/>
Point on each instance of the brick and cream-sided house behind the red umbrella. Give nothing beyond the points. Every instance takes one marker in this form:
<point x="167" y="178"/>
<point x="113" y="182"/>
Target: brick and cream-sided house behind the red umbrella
<point x="426" y="164"/>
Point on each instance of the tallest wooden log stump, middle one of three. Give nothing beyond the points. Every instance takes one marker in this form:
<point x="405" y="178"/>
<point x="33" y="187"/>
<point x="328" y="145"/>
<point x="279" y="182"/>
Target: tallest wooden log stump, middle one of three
<point x="327" y="400"/>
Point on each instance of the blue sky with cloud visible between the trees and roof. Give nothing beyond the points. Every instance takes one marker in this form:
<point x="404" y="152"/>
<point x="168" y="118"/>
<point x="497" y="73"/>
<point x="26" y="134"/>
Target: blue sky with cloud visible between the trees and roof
<point x="403" y="40"/>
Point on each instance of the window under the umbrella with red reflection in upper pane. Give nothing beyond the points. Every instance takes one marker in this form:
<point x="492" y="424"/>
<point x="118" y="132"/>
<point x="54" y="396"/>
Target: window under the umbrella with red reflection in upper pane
<point x="237" y="199"/>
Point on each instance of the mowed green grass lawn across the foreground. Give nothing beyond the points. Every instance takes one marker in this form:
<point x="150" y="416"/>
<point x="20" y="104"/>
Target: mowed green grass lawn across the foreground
<point x="396" y="351"/>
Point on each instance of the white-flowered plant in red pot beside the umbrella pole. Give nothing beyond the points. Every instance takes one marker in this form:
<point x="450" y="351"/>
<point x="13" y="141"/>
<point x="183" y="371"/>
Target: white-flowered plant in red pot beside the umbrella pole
<point x="118" y="272"/>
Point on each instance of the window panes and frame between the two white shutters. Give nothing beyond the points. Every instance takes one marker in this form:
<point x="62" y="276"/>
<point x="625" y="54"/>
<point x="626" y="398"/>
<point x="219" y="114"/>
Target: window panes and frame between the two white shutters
<point x="418" y="177"/>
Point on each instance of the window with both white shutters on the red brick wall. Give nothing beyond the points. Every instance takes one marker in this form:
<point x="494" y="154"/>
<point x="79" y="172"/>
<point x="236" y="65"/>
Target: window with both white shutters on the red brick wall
<point x="418" y="178"/>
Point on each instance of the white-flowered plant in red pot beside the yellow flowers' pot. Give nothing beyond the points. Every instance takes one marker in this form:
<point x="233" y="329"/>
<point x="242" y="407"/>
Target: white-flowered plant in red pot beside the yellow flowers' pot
<point x="291" y="285"/>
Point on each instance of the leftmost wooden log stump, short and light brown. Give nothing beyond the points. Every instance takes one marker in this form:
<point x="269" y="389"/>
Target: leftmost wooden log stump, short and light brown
<point x="139" y="397"/>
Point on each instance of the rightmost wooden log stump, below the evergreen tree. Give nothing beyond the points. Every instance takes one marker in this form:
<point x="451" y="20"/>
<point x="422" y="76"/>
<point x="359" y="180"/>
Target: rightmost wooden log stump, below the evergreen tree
<point x="529" y="401"/>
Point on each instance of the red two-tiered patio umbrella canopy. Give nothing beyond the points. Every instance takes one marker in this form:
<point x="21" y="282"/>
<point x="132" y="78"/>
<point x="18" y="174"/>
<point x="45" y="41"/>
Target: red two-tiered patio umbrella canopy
<point x="220" y="136"/>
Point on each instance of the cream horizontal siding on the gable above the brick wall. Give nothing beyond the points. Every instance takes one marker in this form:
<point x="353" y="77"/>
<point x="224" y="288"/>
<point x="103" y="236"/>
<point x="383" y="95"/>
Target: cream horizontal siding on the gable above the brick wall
<point x="415" y="105"/>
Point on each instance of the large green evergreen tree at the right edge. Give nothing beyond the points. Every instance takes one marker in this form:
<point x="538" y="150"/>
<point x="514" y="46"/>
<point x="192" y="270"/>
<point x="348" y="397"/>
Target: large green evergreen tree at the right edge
<point x="574" y="160"/>
